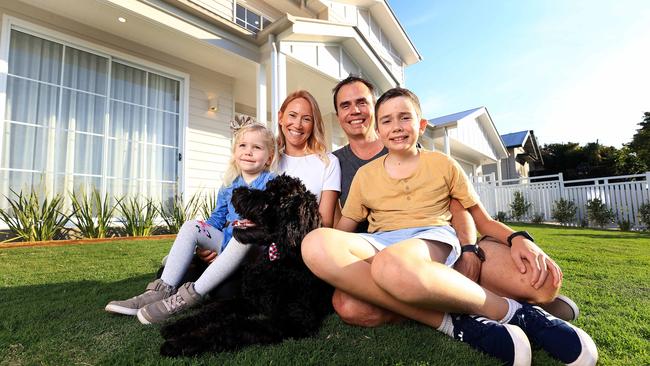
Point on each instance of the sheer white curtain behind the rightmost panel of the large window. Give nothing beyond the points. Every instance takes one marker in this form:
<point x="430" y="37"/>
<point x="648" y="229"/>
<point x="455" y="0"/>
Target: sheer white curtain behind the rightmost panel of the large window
<point x="143" y="133"/>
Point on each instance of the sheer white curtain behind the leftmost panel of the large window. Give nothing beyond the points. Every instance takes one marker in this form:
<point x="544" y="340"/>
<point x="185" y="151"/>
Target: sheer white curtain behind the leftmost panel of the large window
<point x="32" y="107"/>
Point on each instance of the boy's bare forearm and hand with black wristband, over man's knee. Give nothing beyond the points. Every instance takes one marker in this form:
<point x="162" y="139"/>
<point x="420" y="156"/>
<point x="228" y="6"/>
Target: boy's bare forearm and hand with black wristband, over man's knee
<point x="522" y="249"/>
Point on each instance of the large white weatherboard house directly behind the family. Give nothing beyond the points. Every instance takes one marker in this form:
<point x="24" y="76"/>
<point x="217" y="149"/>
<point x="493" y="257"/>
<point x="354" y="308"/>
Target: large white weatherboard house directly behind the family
<point x="135" y="96"/>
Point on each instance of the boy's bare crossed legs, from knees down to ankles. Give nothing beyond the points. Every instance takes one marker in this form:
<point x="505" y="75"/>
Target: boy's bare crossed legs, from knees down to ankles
<point x="354" y="266"/>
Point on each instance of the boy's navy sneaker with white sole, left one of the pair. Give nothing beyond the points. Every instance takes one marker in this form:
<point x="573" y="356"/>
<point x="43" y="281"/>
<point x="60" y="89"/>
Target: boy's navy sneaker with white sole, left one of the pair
<point x="503" y="341"/>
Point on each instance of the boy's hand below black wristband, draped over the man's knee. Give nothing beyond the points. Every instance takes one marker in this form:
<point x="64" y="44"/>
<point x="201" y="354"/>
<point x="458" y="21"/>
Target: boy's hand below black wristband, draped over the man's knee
<point x="541" y="263"/>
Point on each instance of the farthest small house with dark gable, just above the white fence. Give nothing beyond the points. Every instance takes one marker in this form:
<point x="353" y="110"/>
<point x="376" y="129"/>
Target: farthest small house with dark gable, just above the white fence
<point x="523" y="158"/>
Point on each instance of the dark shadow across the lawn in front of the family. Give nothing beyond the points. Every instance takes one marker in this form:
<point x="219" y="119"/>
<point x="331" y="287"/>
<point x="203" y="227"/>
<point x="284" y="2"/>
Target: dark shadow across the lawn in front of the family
<point x="65" y="323"/>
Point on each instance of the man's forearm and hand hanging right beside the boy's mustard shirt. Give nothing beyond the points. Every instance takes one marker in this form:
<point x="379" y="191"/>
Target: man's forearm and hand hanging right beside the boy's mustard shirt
<point x="468" y="264"/>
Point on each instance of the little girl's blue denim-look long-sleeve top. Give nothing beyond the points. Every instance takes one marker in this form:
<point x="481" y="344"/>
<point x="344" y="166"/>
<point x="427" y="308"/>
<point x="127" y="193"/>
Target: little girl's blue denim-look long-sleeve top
<point x="225" y="212"/>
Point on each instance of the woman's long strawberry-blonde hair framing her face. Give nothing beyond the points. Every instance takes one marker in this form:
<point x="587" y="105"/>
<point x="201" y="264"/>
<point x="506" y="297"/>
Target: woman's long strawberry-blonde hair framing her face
<point x="315" y="142"/>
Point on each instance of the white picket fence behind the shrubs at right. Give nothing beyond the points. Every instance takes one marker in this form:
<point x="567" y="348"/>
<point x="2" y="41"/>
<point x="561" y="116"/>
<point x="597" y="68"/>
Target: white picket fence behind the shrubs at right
<point x="623" y="194"/>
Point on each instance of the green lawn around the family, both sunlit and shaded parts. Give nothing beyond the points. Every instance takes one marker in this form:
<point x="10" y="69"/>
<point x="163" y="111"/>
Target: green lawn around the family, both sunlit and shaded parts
<point x="52" y="300"/>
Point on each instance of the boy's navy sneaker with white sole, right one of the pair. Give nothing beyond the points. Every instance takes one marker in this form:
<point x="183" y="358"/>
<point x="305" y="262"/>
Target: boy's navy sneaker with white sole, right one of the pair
<point x="560" y="339"/>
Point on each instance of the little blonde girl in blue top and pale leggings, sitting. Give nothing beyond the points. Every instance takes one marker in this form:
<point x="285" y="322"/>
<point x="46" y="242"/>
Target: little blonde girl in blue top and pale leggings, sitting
<point x="252" y="162"/>
